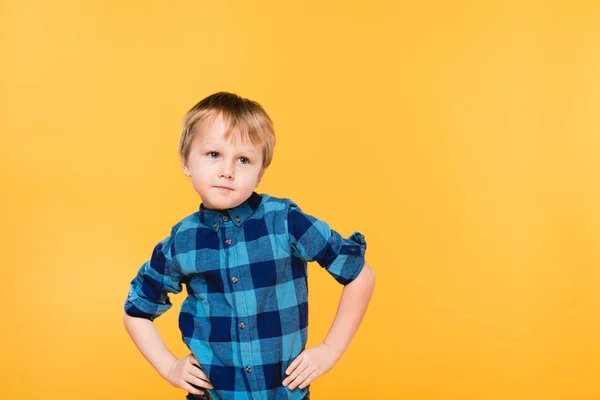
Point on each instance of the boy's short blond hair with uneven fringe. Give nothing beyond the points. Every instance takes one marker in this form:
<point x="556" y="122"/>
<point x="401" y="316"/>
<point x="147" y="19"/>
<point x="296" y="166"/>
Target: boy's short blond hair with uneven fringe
<point x="245" y="117"/>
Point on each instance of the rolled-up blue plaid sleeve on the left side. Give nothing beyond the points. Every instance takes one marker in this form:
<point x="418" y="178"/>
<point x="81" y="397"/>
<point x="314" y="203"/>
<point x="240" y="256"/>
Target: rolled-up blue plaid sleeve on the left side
<point x="148" y="295"/>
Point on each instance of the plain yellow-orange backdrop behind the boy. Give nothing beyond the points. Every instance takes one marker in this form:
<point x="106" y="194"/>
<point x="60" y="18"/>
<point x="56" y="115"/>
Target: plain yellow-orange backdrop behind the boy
<point x="461" y="137"/>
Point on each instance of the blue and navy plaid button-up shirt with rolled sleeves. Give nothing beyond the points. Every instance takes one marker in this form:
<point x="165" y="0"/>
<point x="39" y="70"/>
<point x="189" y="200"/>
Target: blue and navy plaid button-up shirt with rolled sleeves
<point x="246" y="313"/>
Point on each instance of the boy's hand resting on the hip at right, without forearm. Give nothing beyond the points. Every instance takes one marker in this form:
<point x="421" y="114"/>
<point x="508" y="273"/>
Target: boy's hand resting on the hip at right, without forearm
<point x="309" y="365"/>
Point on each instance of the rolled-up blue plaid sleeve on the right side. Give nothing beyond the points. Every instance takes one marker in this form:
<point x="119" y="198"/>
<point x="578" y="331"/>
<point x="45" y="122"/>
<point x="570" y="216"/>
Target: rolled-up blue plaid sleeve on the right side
<point x="313" y="240"/>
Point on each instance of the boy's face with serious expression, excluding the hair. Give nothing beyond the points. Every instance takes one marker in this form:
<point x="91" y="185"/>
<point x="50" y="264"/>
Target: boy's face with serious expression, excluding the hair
<point x="224" y="172"/>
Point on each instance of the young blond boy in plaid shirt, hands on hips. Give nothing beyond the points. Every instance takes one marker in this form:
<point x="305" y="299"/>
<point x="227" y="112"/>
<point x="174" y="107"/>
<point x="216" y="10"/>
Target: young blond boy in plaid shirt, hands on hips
<point x="243" y="259"/>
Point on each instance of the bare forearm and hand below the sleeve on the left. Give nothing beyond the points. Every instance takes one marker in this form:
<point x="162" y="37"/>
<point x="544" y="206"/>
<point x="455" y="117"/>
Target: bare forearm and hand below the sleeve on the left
<point x="180" y="373"/>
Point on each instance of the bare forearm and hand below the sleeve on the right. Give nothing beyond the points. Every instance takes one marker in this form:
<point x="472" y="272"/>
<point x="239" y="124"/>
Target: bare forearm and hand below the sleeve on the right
<point x="316" y="361"/>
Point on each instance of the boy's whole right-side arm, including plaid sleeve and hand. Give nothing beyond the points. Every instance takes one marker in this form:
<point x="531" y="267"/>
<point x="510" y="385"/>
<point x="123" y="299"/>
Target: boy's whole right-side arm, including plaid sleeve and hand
<point x="312" y="239"/>
